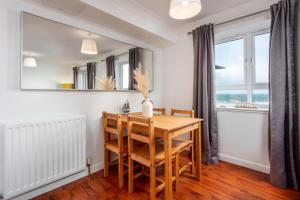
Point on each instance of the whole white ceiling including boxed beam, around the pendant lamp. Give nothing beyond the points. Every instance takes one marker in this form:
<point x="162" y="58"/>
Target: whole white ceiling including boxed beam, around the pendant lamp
<point x="140" y="20"/>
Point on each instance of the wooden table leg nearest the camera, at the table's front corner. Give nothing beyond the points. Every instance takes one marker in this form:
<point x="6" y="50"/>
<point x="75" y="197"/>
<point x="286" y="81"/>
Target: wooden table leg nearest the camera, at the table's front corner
<point x="168" y="165"/>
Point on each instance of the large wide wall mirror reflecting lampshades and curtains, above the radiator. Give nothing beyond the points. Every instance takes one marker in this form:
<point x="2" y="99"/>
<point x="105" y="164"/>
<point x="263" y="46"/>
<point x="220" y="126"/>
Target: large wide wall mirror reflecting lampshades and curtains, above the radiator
<point x="56" y="56"/>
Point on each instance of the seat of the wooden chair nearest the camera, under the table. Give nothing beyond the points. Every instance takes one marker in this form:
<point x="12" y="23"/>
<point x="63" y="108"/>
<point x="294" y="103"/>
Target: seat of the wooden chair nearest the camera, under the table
<point x="142" y="152"/>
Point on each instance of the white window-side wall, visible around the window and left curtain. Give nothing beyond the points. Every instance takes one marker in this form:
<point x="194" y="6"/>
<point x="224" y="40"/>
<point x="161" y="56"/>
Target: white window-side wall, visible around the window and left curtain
<point x="242" y="135"/>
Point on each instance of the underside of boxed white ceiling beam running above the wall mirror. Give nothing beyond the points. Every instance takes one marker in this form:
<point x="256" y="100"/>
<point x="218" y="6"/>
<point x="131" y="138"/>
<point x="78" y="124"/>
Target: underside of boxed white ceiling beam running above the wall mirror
<point x="106" y="21"/>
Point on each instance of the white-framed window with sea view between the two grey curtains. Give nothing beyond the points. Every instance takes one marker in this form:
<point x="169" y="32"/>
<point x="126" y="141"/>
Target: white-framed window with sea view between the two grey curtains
<point x="242" y="69"/>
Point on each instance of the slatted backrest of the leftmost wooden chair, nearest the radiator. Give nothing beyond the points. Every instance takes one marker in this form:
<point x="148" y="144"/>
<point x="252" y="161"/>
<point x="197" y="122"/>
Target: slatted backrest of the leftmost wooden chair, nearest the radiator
<point x="112" y="125"/>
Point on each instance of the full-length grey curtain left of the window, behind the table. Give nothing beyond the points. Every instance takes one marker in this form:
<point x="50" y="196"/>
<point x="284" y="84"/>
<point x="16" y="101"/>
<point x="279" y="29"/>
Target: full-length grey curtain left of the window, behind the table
<point x="204" y="90"/>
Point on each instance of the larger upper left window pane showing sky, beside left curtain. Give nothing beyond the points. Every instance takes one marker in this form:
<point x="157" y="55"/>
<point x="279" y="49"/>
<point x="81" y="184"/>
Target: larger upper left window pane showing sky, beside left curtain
<point x="230" y="63"/>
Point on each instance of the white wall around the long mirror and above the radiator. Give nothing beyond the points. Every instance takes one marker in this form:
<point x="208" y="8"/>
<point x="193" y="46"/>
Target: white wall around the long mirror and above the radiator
<point x="14" y="102"/>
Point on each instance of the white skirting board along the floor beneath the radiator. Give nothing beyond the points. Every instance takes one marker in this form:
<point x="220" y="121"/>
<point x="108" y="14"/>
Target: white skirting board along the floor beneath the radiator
<point x="57" y="184"/>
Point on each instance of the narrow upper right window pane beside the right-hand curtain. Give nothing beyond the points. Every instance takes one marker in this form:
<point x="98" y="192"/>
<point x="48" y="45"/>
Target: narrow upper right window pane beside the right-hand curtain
<point x="262" y="58"/>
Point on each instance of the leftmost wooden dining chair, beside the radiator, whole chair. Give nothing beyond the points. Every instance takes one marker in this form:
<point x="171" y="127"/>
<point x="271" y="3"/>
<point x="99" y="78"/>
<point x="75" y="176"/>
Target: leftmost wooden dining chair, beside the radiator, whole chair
<point x="112" y="125"/>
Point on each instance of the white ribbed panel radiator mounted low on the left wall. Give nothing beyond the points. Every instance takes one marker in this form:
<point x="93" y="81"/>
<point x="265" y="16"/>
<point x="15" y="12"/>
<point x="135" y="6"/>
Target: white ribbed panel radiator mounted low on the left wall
<point x="36" y="153"/>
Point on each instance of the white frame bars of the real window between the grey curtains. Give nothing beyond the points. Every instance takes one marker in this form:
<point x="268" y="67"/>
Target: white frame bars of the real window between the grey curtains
<point x="249" y="67"/>
